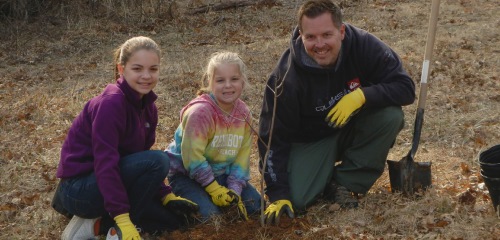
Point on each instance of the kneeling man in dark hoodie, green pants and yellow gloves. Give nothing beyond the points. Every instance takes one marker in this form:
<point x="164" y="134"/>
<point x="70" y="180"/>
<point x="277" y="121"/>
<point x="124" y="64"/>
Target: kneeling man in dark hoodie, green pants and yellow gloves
<point x="338" y="111"/>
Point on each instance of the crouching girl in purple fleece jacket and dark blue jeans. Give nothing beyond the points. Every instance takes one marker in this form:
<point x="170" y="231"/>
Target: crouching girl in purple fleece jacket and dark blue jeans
<point x="110" y="179"/>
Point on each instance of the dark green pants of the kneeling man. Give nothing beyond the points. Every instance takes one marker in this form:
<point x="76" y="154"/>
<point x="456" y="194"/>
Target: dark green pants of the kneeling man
<point x="361" y="148"/>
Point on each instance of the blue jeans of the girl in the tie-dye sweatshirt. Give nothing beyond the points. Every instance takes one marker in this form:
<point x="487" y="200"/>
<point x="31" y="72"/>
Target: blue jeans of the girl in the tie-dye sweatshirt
<point x="186" y="187"/>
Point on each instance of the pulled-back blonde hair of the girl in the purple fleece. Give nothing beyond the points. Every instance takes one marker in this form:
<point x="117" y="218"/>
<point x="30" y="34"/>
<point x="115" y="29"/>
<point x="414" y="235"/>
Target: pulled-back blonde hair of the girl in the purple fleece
<point x="125" y="51"/>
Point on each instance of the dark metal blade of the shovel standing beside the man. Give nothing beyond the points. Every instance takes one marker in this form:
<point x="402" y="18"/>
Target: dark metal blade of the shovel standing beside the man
<point x="408" y="177"/>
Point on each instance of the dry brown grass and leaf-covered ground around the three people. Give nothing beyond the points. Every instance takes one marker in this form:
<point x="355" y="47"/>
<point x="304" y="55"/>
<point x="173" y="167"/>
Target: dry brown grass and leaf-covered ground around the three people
<point x="49" y="70"/>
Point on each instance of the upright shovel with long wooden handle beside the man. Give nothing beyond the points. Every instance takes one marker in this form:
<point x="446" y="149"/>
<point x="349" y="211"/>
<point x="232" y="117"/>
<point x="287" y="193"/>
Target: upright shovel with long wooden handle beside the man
<point x="406" y="175"/>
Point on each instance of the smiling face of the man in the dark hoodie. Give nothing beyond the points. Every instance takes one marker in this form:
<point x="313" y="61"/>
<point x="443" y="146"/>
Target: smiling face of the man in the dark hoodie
<point x="322" y="39"/>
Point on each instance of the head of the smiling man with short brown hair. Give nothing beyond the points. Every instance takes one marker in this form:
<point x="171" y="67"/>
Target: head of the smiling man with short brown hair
<point x="321" y="30"/>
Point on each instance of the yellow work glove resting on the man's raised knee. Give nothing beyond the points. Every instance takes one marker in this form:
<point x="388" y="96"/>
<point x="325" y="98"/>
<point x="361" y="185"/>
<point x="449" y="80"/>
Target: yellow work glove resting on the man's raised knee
<point x="345" y="108"/>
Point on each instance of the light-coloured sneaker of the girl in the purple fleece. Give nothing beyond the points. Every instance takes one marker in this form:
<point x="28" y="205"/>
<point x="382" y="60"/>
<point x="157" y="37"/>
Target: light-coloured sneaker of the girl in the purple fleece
<point x="79" y="229"/>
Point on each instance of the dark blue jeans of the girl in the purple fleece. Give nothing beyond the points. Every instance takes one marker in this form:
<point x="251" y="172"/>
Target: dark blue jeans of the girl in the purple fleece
<point x="141" y="173"/>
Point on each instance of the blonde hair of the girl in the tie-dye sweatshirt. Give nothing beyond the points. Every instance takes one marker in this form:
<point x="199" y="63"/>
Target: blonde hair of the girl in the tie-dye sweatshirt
<point x="215" y="61"/>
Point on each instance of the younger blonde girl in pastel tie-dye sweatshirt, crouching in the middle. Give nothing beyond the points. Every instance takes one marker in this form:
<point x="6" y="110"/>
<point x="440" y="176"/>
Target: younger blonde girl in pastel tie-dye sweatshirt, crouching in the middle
<point x="210" y="154"/>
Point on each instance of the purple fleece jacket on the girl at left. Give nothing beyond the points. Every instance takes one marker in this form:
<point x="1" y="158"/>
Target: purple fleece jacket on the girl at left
<point x="112" y="125"/>
